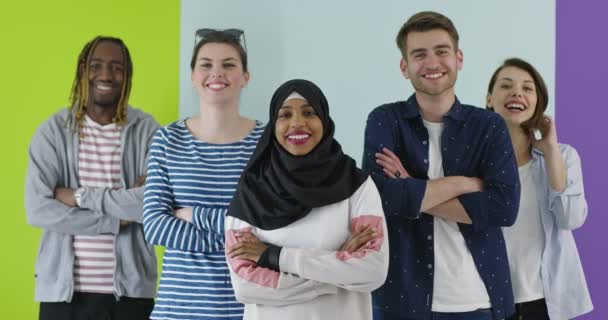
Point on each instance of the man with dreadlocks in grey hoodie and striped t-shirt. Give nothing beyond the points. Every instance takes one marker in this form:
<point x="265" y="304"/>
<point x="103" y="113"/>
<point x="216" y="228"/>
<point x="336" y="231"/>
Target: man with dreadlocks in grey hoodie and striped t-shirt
<point x="84" y="189"/>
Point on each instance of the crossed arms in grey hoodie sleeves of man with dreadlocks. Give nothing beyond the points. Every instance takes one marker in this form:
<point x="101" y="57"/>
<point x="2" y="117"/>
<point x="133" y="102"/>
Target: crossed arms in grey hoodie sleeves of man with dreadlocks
<point x="54" y="209"/>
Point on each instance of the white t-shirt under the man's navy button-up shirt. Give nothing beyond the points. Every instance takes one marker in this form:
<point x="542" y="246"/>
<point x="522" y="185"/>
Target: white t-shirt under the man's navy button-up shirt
<point x="457" y="286"/>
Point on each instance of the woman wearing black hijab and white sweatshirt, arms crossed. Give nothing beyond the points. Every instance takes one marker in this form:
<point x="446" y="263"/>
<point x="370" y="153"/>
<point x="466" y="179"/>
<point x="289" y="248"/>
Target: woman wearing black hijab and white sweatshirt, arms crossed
<point x="305" y="230"/>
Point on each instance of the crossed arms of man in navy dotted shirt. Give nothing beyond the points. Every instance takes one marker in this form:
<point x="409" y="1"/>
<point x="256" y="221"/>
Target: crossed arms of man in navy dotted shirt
<point x="489" y="199"/>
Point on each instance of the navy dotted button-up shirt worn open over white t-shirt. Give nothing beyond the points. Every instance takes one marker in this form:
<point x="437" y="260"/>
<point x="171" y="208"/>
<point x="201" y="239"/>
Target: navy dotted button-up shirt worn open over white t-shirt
<point x="474" y="143"/>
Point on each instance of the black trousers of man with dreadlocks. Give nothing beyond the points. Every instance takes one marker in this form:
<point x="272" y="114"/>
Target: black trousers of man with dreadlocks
<point x="97" y="306"/>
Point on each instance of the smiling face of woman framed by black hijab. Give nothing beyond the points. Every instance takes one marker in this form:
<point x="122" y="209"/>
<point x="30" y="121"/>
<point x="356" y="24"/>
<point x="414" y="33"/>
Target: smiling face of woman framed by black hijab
<point x="298" y="128"/>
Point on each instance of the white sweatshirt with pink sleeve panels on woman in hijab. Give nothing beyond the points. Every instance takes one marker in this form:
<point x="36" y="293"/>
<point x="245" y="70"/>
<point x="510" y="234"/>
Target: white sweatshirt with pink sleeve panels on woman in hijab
<point x="316" y="280"/>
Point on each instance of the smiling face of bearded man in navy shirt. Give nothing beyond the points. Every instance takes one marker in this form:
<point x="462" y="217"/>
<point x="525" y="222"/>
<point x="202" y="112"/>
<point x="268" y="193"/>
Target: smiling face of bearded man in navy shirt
<point x="431" y="62"/>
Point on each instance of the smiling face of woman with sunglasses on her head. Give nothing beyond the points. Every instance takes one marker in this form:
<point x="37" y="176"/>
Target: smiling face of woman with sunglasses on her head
<point x="218" y="74"/>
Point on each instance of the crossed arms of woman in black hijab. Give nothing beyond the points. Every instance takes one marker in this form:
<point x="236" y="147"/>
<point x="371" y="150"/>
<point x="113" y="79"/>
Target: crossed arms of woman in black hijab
<point x="360" y="264"/>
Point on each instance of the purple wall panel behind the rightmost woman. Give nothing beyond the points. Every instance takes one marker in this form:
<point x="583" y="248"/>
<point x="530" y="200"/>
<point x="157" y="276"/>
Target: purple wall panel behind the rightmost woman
<point x="581" y="114"/>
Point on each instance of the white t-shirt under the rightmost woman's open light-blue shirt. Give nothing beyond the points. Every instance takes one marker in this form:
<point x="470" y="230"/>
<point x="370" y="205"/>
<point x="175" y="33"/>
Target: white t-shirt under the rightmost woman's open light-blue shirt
<point x="525" y="242"/>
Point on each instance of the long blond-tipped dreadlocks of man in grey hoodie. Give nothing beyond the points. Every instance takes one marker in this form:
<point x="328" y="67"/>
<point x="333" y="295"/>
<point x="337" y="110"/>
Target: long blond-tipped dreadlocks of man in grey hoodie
<point x="79" y="97"/>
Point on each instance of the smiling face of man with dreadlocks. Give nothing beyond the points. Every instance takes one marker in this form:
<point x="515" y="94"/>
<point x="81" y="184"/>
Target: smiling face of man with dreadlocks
<point x="106" y="75"/>
